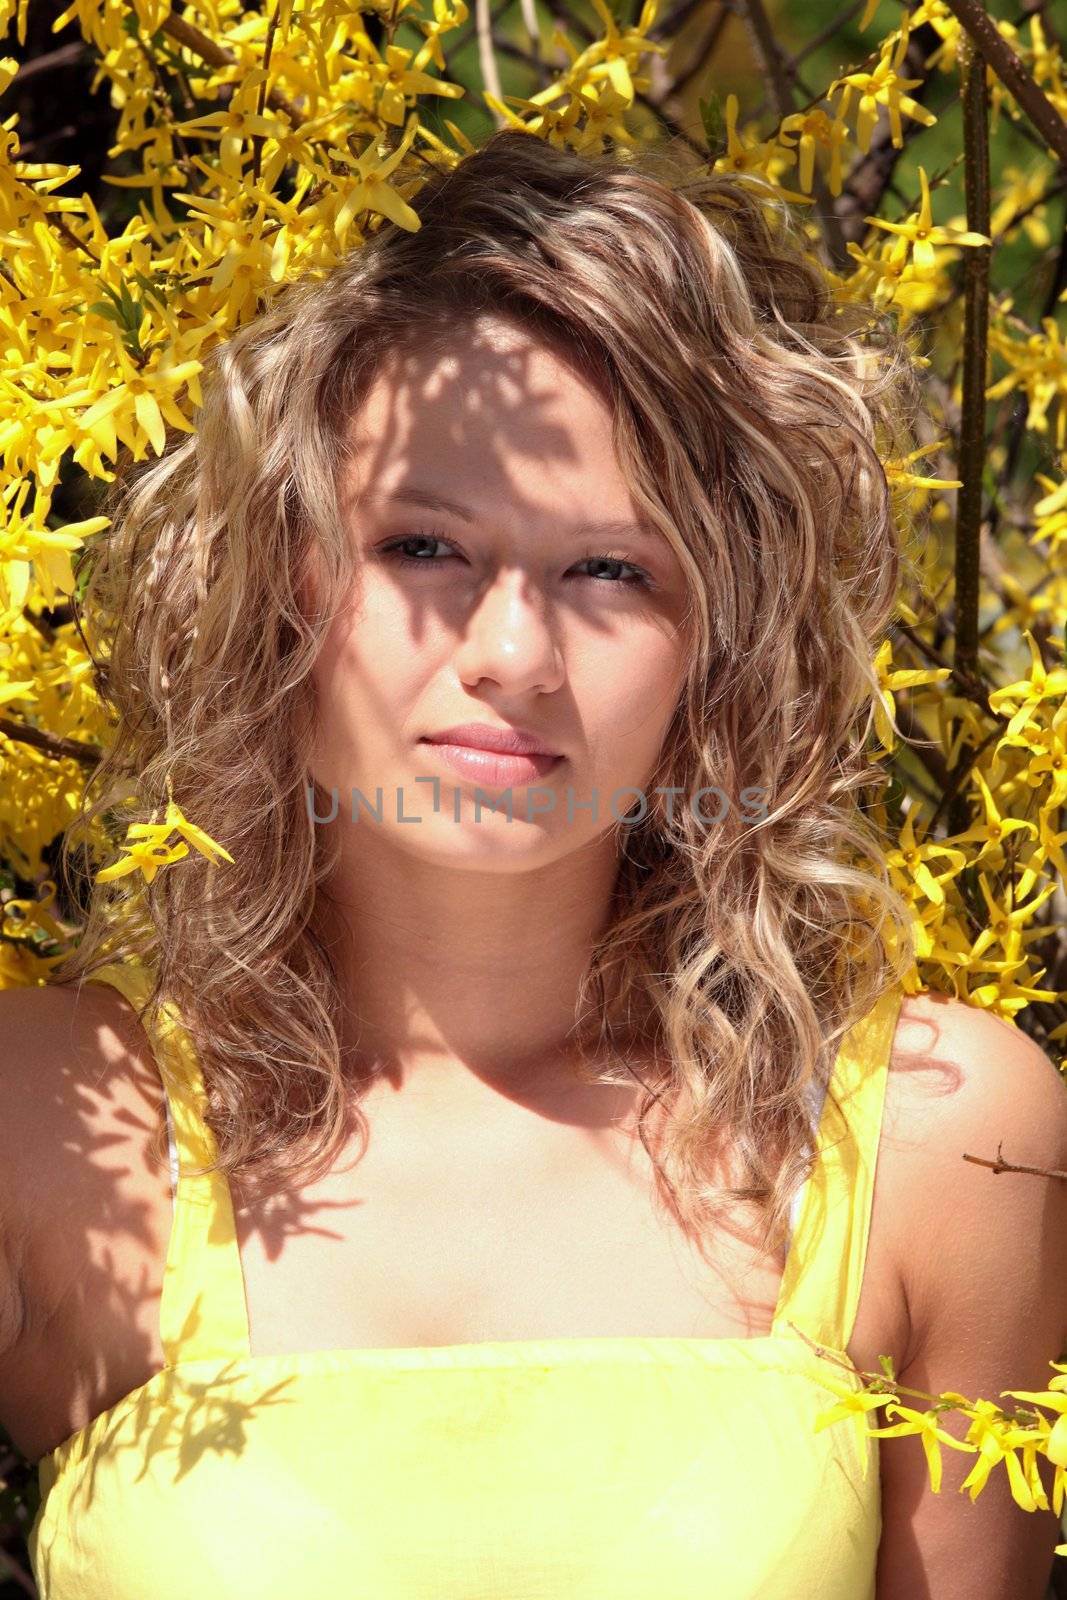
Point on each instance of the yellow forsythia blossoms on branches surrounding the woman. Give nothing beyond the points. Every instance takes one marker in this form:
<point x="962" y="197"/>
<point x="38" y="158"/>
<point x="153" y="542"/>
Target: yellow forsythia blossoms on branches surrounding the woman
<point x="271" y="143"/>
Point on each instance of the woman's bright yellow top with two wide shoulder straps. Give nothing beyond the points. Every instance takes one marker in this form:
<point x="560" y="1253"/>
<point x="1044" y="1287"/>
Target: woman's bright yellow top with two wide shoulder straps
<point x="615" y="1468"/>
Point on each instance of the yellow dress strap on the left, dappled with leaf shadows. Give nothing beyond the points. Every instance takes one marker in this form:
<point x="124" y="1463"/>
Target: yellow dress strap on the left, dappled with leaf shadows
<point x="202" y="1313"/>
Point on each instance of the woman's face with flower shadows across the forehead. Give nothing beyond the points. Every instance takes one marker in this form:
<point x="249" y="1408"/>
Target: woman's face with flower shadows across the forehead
<point x="484" y="497"/>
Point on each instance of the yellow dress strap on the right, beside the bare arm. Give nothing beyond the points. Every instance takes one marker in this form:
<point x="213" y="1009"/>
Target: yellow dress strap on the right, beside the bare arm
<point x="825" y="1268"/>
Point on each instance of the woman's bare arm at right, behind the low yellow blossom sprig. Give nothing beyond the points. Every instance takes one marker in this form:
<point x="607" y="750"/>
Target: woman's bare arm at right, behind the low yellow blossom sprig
<point x="985" y="1262"/>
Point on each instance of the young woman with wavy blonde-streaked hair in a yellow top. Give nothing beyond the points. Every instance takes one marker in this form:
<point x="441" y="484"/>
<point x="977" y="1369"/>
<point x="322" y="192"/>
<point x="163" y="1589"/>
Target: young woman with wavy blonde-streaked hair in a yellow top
<point x="549" y="1127"/>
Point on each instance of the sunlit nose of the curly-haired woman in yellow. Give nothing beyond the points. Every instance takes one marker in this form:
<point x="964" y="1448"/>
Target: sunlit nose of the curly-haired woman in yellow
<point x="511" y="638"/>
